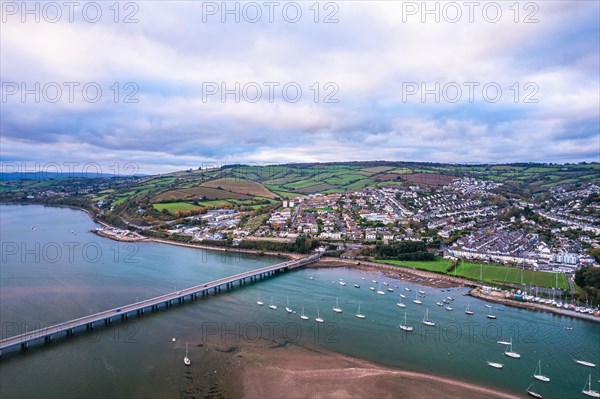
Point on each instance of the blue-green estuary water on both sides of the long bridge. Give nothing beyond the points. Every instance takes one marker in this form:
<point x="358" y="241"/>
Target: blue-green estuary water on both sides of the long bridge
<point x="54" y="269"/>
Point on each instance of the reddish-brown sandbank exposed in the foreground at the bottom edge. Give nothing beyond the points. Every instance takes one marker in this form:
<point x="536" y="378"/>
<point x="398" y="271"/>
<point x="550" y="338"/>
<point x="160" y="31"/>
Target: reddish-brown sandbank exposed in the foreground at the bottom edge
<point x="265" y="369"/>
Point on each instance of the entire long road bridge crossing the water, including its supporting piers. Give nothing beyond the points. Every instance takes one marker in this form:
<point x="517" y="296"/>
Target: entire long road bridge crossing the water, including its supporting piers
<point x="152" y="304"/>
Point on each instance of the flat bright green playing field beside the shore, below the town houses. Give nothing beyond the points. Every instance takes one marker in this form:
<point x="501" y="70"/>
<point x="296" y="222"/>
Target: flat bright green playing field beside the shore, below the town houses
<point x="489" y="273"/>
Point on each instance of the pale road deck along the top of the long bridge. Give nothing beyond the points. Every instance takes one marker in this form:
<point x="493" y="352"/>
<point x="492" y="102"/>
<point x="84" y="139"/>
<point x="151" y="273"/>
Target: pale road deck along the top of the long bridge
<point x="124" y="311"/>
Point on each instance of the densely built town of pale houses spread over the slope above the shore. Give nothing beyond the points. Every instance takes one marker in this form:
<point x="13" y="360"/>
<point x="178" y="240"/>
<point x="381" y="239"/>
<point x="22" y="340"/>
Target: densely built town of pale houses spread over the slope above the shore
<point x="463" y="219"/>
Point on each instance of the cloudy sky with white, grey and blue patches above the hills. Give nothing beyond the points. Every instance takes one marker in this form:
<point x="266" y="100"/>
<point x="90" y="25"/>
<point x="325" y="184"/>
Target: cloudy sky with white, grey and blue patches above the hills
<point x="174" y="85"/>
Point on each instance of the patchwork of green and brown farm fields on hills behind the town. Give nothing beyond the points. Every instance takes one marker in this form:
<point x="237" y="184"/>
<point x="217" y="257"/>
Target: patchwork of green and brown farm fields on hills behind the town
<point x="258" y="186"/>
